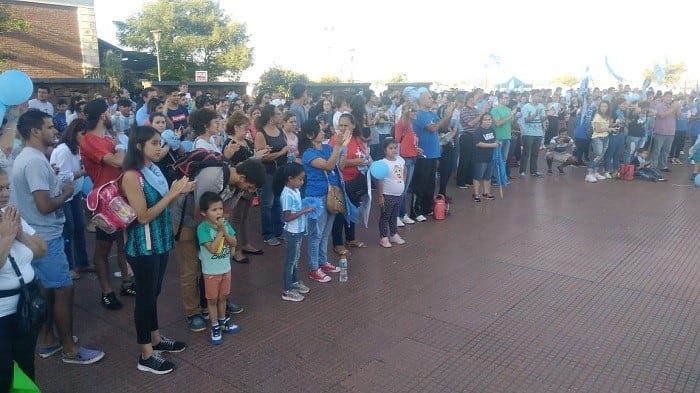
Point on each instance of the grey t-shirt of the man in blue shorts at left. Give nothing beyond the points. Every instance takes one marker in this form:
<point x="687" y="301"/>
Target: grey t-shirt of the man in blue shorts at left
<point x="32" y="172"/>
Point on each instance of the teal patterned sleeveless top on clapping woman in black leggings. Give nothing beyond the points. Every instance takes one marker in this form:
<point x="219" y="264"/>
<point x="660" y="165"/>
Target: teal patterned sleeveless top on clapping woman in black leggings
<point x="160" y="230"/>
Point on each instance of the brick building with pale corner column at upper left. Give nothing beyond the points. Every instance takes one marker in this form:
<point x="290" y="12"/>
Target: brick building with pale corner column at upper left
<point x="61" y="41"/>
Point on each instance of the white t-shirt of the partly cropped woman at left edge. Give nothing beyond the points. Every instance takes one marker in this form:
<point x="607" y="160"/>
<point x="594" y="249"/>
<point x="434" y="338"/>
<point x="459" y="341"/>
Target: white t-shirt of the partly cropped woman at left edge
<point x="8" y="279"/>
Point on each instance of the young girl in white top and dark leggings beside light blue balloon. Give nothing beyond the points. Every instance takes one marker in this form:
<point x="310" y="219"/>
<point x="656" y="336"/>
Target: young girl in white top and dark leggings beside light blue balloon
<point x="390" y="190"/>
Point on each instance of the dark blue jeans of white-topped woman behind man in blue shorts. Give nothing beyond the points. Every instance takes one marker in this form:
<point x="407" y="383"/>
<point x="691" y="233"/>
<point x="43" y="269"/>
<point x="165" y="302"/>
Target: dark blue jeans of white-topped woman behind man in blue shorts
<point x="74" y="234"/>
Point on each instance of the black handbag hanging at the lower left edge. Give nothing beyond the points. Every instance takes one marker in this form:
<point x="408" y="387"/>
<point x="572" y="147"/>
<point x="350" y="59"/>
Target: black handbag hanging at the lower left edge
<point x="31" y="306"/>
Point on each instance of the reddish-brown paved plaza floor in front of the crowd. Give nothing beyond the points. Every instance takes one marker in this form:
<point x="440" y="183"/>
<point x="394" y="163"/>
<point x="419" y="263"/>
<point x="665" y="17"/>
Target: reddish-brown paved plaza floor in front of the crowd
<point x="561" y="286"/>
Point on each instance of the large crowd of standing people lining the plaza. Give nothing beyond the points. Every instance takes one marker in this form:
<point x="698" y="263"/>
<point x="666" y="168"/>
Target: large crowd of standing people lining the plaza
<point x="283" y="158"/>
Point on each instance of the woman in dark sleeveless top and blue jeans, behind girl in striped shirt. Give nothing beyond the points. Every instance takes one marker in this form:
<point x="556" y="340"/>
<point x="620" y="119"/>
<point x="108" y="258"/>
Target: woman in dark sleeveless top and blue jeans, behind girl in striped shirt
<point x="271" y="137"/>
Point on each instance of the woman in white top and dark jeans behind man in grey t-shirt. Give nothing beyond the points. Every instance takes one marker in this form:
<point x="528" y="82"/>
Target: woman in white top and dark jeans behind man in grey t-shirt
<point x="66" y="157"/>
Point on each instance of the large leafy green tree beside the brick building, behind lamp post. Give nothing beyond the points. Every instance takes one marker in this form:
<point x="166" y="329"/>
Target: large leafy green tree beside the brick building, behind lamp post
<point x="195" y="35"/>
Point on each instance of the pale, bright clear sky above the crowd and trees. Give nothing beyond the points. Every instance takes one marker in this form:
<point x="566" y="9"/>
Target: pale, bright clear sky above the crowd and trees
<point x="452" y="41"/>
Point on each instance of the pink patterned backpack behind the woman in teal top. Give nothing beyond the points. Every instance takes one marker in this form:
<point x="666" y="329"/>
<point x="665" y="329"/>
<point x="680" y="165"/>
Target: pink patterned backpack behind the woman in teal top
<point x="110" y="210"/>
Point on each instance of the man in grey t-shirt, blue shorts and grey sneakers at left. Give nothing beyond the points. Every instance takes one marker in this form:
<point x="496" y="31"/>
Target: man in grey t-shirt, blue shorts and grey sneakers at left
<point x="39" y="197"/>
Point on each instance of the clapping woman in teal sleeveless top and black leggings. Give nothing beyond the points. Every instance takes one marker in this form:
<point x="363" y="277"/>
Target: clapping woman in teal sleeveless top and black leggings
<point x="149" y="241"/>
